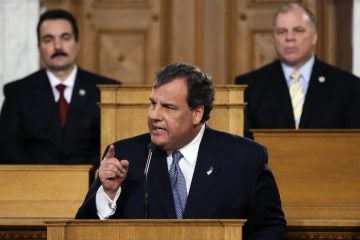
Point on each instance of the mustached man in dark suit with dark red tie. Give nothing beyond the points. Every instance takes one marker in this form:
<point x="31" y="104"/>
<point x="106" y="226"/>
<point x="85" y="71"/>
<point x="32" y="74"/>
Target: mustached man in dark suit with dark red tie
<point x="42" y="123"/>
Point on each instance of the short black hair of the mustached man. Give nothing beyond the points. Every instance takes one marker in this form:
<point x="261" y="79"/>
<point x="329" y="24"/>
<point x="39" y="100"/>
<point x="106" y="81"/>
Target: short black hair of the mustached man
<point x="58" y="14"/>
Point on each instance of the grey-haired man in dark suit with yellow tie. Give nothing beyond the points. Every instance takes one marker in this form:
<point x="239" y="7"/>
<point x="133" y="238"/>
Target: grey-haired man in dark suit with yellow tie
<point x="319" y="97"/>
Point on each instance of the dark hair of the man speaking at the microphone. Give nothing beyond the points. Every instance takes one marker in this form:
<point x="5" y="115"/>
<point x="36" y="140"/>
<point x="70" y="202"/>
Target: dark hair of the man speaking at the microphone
<point x="200" y="86"/>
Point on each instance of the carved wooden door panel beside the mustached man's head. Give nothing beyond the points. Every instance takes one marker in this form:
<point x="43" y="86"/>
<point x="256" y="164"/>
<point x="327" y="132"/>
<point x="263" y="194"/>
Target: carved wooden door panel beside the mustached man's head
<point x="119" y="39"/>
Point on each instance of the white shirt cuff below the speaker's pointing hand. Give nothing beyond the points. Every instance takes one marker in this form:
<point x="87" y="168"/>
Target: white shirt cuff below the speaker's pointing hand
<point x="104" y="205"/>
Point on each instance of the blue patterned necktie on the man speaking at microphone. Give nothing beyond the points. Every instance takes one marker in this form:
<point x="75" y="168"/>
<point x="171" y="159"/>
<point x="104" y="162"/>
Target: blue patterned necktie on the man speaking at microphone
<point x="178" y="184"/>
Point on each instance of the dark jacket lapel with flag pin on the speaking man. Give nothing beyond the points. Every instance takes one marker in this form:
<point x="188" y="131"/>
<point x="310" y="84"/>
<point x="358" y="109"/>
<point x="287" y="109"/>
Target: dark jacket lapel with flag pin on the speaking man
<point x="205" y="173"/>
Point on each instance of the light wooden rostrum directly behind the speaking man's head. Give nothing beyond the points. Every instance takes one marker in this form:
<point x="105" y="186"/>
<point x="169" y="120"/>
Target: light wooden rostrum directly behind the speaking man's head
<point x="124" y="111"/>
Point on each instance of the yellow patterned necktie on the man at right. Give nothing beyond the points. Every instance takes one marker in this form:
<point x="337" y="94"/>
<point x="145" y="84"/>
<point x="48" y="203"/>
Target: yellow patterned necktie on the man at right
<point x="297" y="96"/>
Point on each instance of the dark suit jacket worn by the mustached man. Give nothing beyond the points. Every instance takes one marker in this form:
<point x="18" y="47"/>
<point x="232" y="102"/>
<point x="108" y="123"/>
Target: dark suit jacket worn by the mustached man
<point x="30" y="129"/>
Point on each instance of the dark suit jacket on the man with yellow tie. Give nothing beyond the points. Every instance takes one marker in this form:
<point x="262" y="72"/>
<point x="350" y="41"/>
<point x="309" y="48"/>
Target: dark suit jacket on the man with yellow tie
<point x="334" y="103"/>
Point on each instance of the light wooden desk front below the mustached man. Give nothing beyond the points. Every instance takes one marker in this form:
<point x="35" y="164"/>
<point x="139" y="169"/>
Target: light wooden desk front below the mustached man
<point x="30" y="193"/>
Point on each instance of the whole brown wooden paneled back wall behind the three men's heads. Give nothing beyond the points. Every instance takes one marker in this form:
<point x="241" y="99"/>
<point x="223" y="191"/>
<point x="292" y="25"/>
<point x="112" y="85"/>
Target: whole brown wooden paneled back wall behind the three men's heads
<point x="131" y="40"/>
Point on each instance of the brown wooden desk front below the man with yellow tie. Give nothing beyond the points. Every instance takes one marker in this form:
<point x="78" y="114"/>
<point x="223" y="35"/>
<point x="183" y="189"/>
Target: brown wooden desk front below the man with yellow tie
<point x="317" y="171"/>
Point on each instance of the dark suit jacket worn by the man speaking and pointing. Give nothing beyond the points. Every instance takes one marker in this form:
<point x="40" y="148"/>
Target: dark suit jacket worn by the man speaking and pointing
<point x="240" y="186"/>
